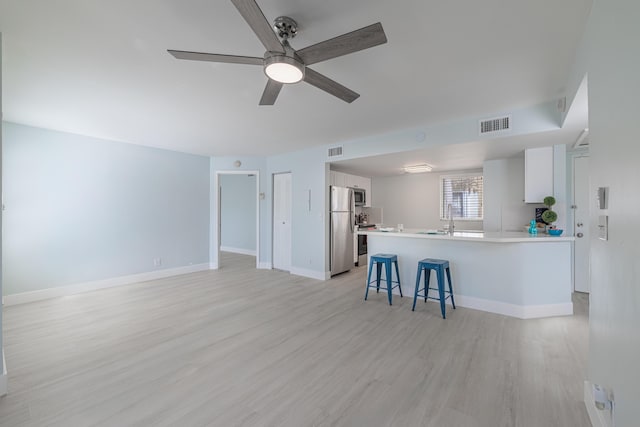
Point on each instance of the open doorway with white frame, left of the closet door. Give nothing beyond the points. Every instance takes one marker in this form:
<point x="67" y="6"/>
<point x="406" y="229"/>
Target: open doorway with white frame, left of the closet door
<point x="232" y="180"/>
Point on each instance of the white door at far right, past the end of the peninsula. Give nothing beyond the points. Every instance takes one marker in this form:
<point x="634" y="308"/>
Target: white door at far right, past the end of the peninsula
<point x="581" y="224"/>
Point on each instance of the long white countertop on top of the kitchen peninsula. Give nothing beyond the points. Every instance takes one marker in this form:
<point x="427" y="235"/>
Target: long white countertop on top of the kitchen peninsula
<point x="472" y="236"/>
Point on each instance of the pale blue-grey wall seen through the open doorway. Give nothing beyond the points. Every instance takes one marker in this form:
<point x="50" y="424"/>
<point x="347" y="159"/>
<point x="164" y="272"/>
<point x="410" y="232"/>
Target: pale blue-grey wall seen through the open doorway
<point x="238" y="213"/>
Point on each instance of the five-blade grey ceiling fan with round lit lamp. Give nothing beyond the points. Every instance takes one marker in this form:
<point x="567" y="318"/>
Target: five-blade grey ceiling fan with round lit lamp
<point x="285" y="65"/>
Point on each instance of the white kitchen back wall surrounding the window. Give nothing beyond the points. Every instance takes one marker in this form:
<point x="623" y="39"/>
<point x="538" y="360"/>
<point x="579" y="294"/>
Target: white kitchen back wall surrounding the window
<point x="414" y="200"/>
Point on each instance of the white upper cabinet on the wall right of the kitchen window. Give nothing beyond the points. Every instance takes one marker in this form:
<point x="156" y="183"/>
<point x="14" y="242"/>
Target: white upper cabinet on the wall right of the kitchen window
<point x="538" y="174"/>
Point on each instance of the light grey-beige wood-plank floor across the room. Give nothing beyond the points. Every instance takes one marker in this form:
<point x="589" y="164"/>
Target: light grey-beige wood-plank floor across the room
<point x="247" y="347"/>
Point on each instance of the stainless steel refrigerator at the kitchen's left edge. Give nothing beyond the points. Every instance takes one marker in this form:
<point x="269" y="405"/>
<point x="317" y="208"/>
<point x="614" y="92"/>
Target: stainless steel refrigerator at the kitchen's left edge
<point x="342" y="213"/>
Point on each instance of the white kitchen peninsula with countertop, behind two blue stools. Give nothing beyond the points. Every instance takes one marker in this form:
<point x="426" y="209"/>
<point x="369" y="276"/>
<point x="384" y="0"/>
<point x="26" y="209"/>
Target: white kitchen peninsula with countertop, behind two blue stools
<point x="511" y="273"/>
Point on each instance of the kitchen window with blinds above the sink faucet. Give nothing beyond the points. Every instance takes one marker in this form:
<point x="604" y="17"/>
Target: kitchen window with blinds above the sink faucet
<point x="463" y="195"/>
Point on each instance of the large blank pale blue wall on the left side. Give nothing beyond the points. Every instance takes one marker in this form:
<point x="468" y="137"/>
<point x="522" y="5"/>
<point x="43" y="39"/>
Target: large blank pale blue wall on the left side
<point x="81" y="209"/>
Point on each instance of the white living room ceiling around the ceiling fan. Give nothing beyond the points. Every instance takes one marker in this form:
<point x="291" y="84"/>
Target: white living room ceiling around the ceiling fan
<point x="101" y="68"/>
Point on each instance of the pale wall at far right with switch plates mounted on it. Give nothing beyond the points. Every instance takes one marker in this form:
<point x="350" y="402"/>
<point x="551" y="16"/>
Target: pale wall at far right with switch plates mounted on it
<point x="613" y="69"/>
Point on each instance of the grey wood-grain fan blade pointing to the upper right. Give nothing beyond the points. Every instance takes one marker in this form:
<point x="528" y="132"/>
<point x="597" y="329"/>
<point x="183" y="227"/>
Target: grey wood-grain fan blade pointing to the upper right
<point x="357" y="40"/>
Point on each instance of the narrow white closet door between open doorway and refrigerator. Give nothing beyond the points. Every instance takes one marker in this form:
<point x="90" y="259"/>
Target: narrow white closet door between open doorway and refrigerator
<point x="282" y="221"/>
